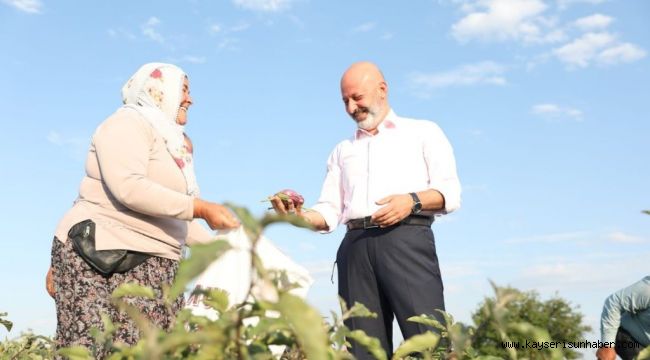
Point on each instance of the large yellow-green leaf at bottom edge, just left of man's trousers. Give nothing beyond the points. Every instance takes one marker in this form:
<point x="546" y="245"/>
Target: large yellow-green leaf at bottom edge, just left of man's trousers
<point x="306" y="323"/>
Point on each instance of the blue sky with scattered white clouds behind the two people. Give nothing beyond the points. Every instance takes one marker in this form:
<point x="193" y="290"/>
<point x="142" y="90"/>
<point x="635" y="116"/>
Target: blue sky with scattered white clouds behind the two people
<point x="542" y="101"/>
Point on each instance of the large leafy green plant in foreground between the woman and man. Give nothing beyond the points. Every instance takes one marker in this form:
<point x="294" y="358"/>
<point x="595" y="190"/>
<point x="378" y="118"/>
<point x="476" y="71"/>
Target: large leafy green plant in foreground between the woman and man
<point x="281" y="318"/>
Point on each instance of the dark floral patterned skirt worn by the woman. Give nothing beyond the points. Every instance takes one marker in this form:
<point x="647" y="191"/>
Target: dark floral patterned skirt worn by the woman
<point x="82" y="295"/>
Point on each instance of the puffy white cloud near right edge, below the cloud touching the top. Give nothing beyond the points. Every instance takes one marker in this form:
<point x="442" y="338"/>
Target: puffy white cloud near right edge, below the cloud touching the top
<point x="602" y="48"/>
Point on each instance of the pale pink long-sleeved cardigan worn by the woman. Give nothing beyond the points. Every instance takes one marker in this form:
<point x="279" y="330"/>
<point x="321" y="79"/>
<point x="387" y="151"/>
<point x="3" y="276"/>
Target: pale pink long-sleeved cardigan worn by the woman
<point x="134" y="191"/>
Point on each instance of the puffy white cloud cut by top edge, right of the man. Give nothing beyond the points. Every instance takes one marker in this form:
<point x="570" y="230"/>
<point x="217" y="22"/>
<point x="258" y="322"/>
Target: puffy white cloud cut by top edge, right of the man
<point x="502" y="20"/>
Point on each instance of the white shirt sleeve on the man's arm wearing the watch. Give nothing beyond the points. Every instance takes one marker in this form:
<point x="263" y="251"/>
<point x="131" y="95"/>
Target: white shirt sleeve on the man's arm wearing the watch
<point x="441" y="167"/>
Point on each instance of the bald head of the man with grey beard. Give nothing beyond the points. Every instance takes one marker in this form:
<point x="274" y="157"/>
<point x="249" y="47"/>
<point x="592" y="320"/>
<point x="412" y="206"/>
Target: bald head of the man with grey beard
<point x="365" y="94"/>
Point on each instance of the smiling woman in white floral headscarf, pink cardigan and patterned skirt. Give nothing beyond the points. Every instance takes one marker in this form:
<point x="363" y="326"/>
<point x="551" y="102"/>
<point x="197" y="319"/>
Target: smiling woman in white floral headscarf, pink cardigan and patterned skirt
<point x="140" y="192"/>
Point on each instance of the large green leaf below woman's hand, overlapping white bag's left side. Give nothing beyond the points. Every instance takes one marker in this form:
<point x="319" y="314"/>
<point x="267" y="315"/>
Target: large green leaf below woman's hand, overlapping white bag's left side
<point x="202" y="255"/>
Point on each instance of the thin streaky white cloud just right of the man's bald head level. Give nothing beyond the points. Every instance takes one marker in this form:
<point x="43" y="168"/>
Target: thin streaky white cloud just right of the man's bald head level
<point x="486" y="72"/>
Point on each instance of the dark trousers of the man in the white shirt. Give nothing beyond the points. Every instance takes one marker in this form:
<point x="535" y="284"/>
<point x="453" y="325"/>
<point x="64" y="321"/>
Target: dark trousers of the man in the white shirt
<point x="394" y="272"/>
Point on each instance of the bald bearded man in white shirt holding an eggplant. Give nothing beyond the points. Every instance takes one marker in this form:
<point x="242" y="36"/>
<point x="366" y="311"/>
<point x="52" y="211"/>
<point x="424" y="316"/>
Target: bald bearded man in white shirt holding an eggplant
<point x="385" y="183"/>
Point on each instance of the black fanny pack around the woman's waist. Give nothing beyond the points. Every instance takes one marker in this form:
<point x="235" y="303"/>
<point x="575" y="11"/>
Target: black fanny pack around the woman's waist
<point x="106" y="262"/>
